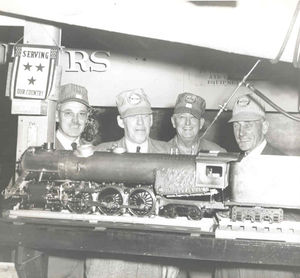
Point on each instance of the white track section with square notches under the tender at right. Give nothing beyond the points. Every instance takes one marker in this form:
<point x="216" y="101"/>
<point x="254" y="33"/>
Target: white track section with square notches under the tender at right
<point x="285" y="231"/>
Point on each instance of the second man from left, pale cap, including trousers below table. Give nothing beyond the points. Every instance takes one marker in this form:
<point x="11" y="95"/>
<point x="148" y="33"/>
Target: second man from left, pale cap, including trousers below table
<point x="136" y="120"/>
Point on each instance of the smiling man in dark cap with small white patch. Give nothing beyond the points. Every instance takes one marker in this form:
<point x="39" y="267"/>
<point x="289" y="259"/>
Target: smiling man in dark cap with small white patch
<point x="188" y="121"/>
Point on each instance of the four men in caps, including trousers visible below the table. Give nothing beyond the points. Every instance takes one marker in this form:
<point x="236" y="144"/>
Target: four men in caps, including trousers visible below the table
<point x="136" y="118"/>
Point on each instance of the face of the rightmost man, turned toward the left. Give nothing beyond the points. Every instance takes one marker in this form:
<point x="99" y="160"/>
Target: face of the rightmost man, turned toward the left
<point x="249" y="134"/>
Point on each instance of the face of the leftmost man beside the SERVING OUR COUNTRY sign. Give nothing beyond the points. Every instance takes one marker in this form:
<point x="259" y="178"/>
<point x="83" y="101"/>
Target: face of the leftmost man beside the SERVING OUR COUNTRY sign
<point x="72" y="117"/>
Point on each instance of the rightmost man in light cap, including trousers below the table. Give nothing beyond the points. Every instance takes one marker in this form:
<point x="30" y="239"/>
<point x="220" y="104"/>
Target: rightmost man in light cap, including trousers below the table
<point x="250" y="127"/>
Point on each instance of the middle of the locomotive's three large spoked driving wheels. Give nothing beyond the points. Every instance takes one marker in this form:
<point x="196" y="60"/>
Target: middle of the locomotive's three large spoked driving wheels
<point x="111" y="201"/>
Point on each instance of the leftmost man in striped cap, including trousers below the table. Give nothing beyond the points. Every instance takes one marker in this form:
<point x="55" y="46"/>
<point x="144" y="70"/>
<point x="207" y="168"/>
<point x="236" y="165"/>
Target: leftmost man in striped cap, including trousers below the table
<point x="71" y="115"/>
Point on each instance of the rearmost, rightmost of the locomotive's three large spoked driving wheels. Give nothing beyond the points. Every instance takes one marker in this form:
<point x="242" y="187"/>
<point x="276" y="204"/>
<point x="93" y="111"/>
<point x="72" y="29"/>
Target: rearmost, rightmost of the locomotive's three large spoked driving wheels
<point x="141" y="202"/>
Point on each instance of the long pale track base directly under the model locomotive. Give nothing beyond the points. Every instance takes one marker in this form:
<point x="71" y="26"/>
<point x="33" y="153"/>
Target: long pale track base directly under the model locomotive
<point x="157" y="223"/>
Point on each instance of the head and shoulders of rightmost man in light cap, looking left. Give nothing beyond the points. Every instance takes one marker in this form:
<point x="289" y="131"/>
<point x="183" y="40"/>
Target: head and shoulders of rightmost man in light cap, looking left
<point x="250" y="126"/>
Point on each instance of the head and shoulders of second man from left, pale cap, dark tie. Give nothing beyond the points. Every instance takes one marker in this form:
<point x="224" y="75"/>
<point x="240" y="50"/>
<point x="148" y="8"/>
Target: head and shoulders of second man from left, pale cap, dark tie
<point x="135" y="117"/>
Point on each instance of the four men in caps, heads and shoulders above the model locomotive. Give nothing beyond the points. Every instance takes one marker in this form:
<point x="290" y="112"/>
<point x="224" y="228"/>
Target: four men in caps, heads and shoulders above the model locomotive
<point x="135" y="117"/>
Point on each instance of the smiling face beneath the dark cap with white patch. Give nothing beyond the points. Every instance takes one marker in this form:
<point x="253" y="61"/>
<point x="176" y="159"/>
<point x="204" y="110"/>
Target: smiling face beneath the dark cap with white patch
<point x="187" y="126"/>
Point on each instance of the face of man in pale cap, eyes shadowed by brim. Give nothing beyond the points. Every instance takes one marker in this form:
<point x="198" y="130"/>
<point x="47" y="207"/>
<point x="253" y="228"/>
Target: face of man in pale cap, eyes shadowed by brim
<point x="136" y="128"/>
